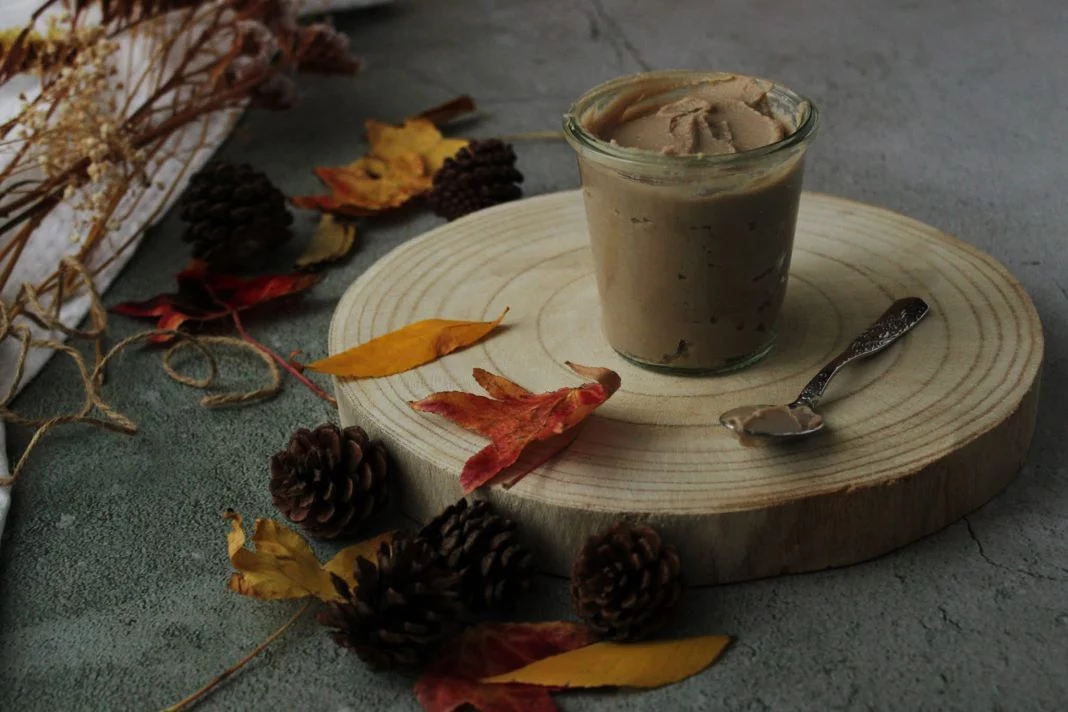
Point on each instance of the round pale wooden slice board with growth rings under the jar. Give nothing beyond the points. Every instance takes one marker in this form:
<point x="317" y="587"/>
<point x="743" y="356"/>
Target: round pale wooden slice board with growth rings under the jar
<point x="919" y="436"/>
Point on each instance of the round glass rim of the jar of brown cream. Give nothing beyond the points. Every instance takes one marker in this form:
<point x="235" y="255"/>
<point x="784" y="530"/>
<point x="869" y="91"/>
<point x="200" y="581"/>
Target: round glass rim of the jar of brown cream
<point x="584" y="141"/>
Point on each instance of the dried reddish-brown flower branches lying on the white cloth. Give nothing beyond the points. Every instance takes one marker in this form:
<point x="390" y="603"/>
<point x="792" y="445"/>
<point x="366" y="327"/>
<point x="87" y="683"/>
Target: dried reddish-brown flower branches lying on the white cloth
<point x="118" y="81"/>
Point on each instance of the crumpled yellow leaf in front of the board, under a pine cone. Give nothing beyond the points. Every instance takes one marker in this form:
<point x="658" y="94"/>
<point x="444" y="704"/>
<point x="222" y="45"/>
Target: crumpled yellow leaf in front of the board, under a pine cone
<point x="284" y="566"/>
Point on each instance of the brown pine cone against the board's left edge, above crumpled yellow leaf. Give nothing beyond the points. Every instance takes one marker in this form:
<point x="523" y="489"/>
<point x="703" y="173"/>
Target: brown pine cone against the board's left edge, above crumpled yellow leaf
<point x="331" y="481"/>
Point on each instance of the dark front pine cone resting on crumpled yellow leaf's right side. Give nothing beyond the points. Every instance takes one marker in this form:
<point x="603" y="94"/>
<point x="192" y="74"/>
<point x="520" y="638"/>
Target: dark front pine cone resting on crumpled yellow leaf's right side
<point x="402" y="610"/>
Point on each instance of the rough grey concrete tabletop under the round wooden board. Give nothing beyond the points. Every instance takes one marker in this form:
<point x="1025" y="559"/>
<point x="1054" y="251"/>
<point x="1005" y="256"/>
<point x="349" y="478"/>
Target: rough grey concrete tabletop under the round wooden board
<point x="113" y="573"/>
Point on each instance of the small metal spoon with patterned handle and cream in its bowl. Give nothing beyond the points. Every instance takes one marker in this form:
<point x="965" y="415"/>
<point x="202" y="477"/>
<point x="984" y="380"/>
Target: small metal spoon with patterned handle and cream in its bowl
<point x="800" y="418"/>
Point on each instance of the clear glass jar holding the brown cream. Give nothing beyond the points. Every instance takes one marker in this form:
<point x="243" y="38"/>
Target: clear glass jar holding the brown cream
<point x="692" y="252"/>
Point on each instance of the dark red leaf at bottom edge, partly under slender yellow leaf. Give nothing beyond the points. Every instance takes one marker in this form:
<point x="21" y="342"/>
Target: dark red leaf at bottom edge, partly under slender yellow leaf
<point x="492" y="650"/>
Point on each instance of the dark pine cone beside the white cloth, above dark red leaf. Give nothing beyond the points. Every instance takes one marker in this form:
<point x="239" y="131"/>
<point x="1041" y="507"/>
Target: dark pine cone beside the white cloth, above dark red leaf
<point x="237" y="217"/>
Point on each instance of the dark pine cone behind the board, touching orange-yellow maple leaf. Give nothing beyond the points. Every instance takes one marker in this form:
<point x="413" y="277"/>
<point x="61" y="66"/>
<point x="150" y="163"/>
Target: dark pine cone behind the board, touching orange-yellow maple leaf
<point x="482" y="175"/>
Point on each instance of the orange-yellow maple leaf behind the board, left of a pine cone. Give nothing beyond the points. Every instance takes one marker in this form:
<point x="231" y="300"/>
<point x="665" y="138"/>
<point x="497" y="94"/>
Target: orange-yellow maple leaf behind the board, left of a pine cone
<point x="400" y="167"/>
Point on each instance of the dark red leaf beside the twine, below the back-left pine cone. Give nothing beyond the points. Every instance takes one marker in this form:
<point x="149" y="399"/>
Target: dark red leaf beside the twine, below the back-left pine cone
<point x="203" y="296"/>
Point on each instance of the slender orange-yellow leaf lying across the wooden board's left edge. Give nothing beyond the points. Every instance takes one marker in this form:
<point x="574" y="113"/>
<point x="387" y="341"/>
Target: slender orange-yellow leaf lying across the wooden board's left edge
<point x="406" y="349"/>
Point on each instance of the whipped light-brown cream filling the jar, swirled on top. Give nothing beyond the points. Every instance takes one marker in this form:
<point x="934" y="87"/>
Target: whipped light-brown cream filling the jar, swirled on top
<point x="692" y="208"/>
